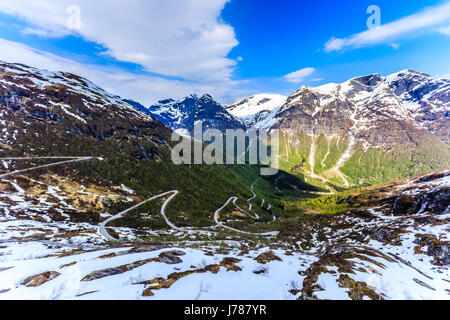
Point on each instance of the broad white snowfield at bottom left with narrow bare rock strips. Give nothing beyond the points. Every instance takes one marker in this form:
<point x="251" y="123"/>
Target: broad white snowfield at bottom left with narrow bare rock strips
<point x="257" y="281"/>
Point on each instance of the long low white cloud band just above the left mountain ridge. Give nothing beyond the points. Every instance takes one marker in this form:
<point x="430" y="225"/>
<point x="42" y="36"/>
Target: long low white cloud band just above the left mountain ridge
<point x="143" y="88"/>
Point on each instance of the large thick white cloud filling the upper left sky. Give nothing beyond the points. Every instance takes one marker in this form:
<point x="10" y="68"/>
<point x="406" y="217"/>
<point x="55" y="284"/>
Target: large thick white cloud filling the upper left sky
<point x="182" y="38"/>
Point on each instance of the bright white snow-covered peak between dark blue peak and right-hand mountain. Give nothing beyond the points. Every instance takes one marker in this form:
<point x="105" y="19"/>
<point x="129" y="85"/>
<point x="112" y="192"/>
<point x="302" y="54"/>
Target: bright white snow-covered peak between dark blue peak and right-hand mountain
<point x="255" y="111"/>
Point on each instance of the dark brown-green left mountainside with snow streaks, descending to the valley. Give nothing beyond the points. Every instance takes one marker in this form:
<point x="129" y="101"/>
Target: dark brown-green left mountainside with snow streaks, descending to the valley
<point x="48" y="114"/>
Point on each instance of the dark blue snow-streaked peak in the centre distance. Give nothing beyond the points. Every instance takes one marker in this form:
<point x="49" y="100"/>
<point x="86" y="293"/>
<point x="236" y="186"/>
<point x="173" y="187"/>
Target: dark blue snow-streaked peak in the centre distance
<point x="181" y="115"/>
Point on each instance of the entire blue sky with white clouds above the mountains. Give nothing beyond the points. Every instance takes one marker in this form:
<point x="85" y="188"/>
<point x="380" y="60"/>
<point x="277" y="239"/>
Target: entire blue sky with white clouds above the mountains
<point x="149" y="50"/>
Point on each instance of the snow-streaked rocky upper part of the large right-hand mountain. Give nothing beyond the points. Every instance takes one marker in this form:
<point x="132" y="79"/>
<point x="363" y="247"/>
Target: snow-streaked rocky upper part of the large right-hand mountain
<point x="363" y="106"/>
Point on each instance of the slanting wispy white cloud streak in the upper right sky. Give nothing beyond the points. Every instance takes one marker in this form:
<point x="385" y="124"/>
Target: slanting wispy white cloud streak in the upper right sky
<point x="424" y="20"/>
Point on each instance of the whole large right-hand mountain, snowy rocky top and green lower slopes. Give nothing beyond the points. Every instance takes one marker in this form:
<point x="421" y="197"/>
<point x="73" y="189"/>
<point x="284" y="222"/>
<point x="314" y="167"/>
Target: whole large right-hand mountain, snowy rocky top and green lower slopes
<point x="366" y="130"/>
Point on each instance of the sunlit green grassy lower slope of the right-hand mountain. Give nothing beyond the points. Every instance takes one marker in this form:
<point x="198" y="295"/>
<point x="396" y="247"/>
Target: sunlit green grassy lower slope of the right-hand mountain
<point x="365" y="166"/>
